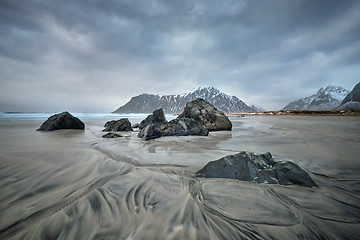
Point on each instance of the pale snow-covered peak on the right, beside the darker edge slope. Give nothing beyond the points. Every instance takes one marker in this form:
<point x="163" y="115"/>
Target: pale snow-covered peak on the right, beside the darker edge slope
<point x="325" y="99"/>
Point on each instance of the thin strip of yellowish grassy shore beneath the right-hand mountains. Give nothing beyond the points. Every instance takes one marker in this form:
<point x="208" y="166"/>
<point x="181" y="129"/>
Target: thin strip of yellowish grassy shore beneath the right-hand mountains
<point x="300" y="112"/>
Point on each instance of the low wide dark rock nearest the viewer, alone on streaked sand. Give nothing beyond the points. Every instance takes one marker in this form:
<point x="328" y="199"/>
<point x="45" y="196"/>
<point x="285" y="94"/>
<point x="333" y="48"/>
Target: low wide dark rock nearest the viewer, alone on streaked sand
<point x="257" y="168"/>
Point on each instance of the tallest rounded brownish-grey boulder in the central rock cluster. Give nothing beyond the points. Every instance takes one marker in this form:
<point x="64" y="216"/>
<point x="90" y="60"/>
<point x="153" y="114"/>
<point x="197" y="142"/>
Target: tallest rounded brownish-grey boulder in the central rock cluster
<point x="204" y="112"/>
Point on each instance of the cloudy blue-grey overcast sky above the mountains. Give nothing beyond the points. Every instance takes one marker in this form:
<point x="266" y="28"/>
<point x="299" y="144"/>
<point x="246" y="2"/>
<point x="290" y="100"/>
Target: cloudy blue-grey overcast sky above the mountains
<point x="93" y="56"/>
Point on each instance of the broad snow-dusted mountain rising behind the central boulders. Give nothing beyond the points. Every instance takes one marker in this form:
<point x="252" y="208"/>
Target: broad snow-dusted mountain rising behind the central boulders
<point x="146" y="103"/>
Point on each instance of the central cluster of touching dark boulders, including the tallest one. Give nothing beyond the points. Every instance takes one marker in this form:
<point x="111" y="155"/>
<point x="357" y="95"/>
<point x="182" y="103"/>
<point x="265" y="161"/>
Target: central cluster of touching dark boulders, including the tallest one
<point x="199" y="117"/>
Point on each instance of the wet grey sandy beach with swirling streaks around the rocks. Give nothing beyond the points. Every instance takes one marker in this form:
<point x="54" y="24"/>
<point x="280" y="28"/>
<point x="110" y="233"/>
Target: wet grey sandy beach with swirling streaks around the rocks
<point x="72" y="184"/>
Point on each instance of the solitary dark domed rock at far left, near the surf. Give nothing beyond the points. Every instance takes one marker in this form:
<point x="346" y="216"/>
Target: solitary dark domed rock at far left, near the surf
<point x="62" y="120"/>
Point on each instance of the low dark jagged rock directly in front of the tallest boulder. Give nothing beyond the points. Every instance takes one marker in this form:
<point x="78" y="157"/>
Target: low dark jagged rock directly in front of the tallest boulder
<point x="176" y="127"/>
